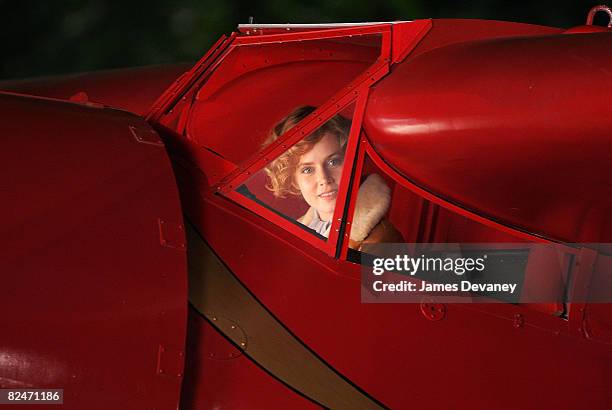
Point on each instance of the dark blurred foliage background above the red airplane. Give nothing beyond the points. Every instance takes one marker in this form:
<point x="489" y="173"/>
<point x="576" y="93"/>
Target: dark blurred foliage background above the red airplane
<point x="52" y="37"/>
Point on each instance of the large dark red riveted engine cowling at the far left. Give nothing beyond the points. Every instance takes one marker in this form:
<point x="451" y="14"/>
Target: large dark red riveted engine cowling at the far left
<point x="90" y="296"/>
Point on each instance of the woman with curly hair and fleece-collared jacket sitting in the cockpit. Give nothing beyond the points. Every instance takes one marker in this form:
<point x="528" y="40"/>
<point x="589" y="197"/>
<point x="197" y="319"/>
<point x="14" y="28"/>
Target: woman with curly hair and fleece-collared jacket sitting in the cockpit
<point x="312" y="168"/>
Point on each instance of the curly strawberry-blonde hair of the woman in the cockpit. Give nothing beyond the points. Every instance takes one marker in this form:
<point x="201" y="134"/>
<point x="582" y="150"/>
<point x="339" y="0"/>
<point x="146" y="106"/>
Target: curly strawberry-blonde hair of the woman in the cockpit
<point x="281" y="171"/>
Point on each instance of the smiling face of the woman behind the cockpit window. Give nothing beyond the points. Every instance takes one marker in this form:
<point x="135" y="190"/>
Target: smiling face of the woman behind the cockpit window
<point x="318" y="175"/>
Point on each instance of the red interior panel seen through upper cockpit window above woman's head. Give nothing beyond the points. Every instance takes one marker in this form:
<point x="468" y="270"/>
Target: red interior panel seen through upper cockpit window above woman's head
<point x="309" y="73"/>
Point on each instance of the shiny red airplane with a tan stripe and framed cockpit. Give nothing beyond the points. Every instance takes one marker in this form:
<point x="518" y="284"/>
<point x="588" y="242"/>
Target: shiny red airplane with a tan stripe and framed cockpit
<point x="149" y="263"/>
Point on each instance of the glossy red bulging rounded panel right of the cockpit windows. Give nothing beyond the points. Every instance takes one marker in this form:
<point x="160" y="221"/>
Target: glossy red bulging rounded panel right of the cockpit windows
<point x="511" y="113"/>
